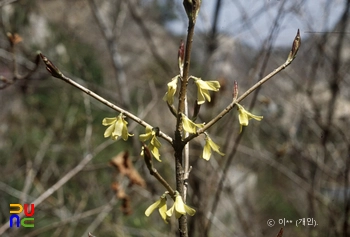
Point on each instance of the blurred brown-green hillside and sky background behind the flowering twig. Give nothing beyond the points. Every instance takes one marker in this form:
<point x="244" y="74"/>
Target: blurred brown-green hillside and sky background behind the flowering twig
<point x="292" y="167"/>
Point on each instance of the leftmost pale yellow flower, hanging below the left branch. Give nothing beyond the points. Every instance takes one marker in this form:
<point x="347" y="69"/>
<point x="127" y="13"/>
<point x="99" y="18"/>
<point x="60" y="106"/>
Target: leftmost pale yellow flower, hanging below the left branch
<point x="117" y="127"/>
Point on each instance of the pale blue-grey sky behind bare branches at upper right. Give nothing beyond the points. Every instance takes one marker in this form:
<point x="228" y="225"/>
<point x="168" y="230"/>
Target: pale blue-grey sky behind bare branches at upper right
<point x="310" y="16"/>
